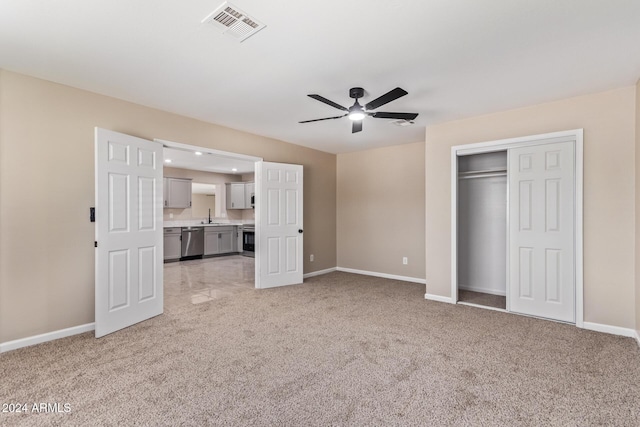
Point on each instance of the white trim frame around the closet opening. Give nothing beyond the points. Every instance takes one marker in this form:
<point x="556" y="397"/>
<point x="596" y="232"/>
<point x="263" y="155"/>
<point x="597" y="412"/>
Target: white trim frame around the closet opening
<point x="575" y="135"/>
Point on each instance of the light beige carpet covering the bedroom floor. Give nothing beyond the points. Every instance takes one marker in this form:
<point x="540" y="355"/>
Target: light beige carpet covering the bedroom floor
<point x="342" y="349"/>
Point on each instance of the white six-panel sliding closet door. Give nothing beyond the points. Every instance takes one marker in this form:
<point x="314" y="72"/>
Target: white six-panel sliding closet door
<point x="541" y="230"/>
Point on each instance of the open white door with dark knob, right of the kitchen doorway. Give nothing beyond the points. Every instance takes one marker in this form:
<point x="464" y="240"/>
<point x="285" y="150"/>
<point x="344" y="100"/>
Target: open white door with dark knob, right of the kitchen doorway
<point x="279" y="254"/>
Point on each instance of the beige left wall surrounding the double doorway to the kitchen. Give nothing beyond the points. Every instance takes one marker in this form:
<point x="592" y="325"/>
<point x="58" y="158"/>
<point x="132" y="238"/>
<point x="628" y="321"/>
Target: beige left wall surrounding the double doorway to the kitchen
<point x="46" y="151"/>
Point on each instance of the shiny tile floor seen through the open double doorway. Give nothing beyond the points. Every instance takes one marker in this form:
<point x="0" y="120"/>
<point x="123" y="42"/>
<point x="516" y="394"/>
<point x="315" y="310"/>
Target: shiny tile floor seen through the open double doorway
<point x="202" y="280"/>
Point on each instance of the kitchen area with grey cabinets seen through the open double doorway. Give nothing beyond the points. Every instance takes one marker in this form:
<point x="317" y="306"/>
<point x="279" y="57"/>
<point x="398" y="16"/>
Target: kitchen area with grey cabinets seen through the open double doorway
<point x="209" y="226"/>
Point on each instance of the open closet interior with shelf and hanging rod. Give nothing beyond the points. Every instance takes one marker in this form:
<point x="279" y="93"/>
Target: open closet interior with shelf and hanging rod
<point x="482" y="229"/>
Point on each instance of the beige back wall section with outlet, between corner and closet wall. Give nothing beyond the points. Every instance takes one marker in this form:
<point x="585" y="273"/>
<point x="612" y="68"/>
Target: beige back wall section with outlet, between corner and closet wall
<point x="381" y="210"/>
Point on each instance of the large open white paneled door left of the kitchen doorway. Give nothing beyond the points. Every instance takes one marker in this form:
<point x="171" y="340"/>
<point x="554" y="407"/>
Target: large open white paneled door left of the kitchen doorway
<point x="128" y="230"/>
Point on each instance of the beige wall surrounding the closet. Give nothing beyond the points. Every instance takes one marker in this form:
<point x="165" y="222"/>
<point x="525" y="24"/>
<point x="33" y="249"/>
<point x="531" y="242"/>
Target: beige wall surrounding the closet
<point x="609" y="192"/>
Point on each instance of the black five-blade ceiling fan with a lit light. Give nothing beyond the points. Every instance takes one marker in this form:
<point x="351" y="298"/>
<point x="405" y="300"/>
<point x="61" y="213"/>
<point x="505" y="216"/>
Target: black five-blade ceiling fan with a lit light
<point x="357" y="112"/>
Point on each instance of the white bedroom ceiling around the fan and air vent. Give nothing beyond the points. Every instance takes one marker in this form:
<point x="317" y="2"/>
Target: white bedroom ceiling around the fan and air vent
<point x="456" y="58"/>
